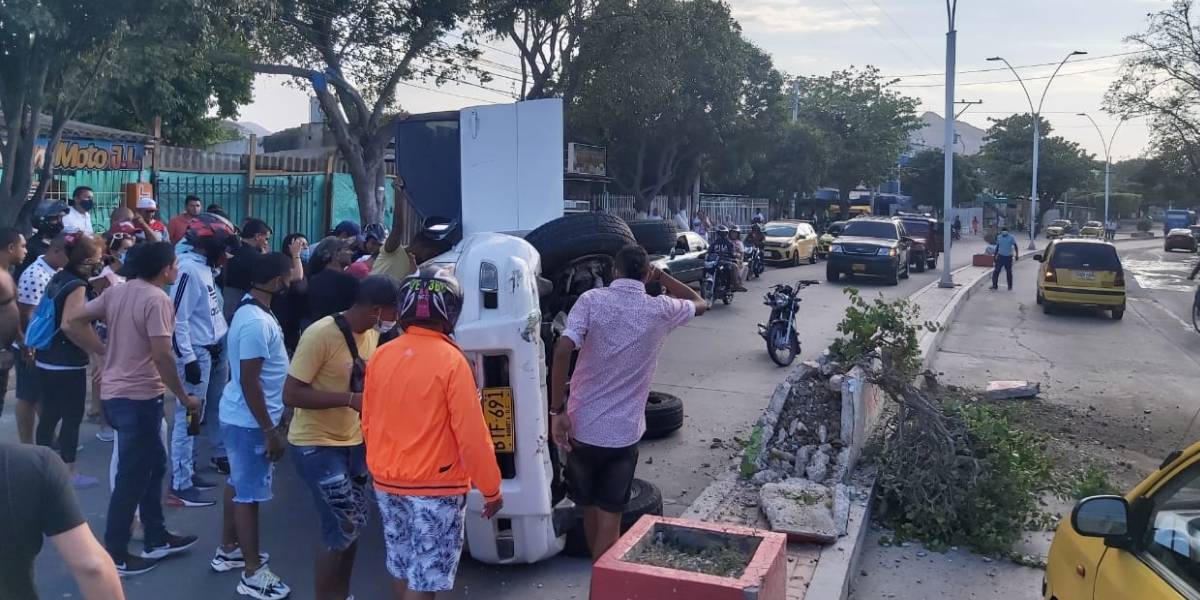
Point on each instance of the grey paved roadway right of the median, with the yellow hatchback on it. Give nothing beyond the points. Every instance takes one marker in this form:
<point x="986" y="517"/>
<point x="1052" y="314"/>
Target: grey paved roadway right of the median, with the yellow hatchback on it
<point x="1133" y="381"/>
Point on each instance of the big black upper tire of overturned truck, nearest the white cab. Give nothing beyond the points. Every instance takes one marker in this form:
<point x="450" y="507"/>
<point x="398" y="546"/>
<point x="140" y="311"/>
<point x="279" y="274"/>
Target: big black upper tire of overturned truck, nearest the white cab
<point x="572" y="237"/>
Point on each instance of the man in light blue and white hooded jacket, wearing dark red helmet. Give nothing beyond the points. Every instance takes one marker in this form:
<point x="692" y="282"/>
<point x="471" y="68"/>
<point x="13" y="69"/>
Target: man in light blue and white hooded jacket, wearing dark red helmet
<point x="200" y="327"/>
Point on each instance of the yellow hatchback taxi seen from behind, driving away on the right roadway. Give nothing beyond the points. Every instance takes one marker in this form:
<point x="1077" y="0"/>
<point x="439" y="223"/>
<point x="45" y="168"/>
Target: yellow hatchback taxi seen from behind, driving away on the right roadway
<point x="1079" y="272"/>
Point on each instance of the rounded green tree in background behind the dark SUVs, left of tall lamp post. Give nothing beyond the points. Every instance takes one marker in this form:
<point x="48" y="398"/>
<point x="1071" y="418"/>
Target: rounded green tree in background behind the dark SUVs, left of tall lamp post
<point x="866" y="125"/>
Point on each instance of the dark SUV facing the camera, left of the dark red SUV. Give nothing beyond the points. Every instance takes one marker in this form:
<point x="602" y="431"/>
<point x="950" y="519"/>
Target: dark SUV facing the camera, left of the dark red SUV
<point x="878" y="247"/>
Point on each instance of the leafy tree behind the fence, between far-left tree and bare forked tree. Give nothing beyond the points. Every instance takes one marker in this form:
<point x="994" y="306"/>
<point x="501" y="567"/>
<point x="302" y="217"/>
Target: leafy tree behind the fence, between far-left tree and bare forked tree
<point x="177" y="68"/>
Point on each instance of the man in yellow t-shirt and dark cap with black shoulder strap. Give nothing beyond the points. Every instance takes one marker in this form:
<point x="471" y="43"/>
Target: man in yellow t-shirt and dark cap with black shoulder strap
<point x="325" y="386"/>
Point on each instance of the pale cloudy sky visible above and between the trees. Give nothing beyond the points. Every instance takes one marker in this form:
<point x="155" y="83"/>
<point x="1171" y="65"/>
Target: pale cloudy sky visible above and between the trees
<point x="903" y="39"/>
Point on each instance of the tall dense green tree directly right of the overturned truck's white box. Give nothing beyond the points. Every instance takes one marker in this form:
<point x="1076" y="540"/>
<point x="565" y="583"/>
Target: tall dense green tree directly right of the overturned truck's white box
<point x="664" y="85"/>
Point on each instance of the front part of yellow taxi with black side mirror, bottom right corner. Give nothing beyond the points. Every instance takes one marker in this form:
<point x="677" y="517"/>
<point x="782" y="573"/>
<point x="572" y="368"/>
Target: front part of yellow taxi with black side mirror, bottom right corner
<point x="1142" y="547"/>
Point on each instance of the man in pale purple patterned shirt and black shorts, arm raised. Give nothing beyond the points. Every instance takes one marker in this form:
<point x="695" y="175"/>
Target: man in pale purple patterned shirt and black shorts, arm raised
<point x="620" y="332"/>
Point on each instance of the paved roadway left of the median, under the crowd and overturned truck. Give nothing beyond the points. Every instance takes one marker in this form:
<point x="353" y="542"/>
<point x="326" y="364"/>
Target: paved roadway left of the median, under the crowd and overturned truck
<point x="718" y="365"/>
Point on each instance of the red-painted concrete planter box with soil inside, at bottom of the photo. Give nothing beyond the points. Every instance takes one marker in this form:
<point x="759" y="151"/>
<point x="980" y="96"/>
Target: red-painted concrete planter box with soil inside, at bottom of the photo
<point x="615" y="578"/>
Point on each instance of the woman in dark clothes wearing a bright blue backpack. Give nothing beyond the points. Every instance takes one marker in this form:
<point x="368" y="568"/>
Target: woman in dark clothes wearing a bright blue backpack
<point x="63" y="353"/>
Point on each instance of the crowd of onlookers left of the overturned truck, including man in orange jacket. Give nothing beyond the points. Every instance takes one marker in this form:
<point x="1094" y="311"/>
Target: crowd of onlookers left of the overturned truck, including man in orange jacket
<point x="195" y="333"/>
